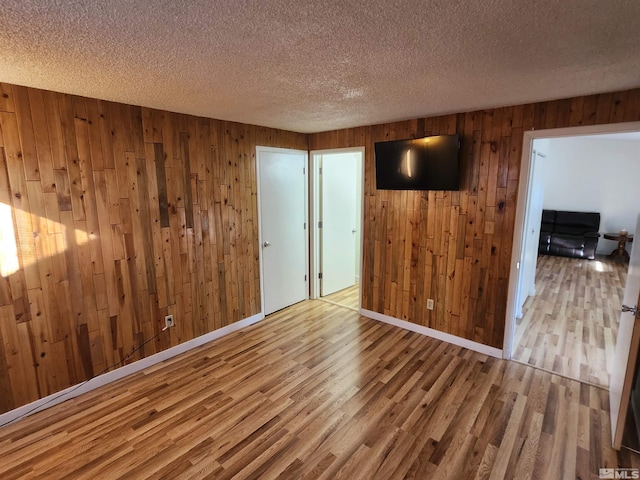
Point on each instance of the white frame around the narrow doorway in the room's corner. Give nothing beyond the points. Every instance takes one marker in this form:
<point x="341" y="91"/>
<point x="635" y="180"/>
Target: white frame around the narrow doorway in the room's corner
<point x="315" y="215"/>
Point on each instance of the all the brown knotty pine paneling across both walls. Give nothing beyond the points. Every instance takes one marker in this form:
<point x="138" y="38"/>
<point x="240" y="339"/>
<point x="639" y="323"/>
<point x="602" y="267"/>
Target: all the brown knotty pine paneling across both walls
<point x="120" y="215"/>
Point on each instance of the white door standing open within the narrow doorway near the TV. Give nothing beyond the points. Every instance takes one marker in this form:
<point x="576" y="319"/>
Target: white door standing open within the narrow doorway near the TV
<point x="339" y="233"/>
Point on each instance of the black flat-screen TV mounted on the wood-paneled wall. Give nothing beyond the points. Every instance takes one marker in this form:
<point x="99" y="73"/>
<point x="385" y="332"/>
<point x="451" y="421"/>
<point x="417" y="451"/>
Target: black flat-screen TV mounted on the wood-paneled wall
<point x="429" y="163"/>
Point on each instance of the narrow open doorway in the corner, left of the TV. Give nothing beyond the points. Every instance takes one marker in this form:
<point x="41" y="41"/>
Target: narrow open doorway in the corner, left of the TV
<point x="337" y="186"/>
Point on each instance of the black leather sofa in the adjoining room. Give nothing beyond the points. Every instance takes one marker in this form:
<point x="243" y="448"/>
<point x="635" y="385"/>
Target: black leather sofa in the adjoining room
<point x="569" y="234"/>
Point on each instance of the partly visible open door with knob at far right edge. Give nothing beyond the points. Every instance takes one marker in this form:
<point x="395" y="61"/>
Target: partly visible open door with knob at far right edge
<point x="626" y="351"/>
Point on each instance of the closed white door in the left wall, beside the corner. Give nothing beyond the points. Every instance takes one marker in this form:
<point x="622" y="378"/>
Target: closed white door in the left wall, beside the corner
<point x="282" y="197"/>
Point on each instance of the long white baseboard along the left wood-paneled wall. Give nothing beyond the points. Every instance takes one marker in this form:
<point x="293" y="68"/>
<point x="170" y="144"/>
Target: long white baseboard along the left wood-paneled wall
<point x="117" y="374"/>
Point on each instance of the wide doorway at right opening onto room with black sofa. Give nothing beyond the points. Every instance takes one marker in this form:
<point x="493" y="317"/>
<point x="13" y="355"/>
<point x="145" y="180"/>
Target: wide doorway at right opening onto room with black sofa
<point x="570" y="326"/>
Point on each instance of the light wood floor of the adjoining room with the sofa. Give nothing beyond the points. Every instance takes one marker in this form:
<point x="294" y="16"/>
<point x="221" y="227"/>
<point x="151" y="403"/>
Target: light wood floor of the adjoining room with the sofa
<point x="570" y="326"/>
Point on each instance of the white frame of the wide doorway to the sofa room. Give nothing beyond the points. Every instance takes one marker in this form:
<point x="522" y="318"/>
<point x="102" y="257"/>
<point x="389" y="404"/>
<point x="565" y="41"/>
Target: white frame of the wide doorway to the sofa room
<point x="522" y="205"/>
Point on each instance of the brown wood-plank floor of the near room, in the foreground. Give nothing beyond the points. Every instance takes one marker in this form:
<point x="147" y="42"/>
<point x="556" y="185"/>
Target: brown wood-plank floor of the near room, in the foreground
<point x="316" y="391"/>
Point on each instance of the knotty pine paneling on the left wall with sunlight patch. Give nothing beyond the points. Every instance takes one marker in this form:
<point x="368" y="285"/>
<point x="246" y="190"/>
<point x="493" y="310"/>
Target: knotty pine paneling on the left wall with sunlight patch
<point x="119" y="215"/>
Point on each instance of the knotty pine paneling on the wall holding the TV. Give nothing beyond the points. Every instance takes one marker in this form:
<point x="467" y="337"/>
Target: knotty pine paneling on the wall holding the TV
<point x="455" y="247"/>
